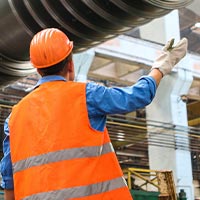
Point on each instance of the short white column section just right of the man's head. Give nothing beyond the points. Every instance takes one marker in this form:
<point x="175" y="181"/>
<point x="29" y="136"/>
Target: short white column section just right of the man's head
<point x="82" y="63"/>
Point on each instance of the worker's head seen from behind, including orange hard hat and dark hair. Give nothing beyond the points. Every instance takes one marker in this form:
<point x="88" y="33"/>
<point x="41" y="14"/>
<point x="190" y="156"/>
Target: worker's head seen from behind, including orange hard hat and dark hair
<point x="51" y="52"/>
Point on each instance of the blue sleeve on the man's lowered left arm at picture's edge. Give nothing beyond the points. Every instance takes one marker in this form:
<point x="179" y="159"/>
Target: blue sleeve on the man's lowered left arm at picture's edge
<point x="6" y="165"/>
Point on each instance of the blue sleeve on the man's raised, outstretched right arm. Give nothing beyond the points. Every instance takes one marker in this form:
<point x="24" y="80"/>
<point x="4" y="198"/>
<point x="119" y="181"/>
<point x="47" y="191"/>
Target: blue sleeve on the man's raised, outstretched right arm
<point x="102" y="100"/>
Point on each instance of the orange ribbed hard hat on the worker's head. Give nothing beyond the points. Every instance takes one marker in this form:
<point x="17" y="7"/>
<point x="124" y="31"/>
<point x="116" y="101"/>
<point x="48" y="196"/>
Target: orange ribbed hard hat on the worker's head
<point x="49" y="47"/>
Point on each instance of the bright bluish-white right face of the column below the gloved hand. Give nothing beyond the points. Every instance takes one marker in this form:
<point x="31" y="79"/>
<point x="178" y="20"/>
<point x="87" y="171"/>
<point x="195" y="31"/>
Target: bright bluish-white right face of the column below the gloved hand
<point x="183" y="80"/>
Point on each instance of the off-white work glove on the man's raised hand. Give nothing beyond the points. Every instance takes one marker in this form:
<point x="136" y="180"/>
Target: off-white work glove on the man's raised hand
<point x="170" y="56"/>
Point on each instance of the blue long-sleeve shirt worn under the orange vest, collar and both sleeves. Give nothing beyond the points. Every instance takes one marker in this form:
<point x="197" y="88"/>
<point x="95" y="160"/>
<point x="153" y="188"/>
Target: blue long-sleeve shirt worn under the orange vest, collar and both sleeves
<point x="100" y="102"/>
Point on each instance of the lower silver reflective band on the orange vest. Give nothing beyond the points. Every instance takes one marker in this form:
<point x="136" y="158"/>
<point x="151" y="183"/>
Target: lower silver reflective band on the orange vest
<point x="79" y="191"/>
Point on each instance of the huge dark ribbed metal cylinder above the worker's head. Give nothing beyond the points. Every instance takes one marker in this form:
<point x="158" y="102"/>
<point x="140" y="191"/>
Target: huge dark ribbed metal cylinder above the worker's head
<point x="86" y="22"/>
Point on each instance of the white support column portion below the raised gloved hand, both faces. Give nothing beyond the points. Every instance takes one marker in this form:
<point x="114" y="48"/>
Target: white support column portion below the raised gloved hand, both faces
<point x="169" y="107"/>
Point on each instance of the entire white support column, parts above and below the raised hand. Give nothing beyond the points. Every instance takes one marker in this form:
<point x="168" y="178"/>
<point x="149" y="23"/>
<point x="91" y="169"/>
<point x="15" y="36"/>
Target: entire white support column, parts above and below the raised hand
<point x="168" y="107"/>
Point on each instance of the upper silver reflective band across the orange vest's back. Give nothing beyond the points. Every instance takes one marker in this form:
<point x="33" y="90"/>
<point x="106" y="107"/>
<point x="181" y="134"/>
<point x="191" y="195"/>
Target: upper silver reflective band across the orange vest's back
<point x="67" y="154"/>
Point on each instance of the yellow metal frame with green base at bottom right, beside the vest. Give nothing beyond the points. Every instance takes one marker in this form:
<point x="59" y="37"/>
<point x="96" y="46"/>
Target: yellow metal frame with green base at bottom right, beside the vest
<point x="152" y="184"/>
